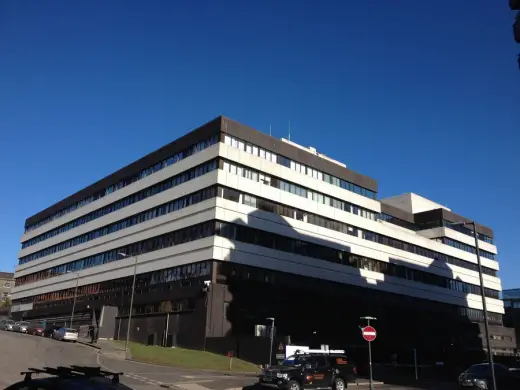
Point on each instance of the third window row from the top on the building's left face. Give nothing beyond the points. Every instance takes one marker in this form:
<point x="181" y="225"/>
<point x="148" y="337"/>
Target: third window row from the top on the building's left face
<point x="144" y="216"/>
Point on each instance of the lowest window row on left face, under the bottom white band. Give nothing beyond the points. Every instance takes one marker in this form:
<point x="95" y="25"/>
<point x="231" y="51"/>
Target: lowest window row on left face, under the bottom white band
<point x="117" y="286"/>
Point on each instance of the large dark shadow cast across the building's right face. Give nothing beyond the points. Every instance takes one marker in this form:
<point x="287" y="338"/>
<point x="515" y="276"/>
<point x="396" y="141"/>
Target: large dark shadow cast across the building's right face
<point x="311" y="311"/>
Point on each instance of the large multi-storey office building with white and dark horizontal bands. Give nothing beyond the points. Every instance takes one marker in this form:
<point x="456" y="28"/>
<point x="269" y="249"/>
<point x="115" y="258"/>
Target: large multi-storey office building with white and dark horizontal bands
<point x="229" y="226"/>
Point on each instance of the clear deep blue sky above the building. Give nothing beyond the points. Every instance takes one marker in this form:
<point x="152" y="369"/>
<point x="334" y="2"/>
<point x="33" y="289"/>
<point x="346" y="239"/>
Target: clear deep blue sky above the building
<point x="422" y="96"/>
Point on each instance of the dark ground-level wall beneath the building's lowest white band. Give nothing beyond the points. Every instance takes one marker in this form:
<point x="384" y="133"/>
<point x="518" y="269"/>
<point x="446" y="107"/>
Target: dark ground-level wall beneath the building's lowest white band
<point x="223" y="318"/>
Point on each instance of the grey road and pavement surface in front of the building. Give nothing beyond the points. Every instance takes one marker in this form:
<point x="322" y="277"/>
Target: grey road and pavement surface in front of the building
<point x="38" y="352"/>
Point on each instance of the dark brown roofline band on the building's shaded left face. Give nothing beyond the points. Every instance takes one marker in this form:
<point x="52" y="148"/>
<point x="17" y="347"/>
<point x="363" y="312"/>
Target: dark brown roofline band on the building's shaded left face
<point x="134" y="168"/>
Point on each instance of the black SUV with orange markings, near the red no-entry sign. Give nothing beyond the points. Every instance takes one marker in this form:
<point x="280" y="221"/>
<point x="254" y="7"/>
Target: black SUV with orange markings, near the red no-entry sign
<point x="306" y="371"/>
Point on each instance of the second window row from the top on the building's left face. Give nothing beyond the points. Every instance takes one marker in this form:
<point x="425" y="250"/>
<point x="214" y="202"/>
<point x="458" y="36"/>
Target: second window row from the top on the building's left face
<point x="127" y="201"/>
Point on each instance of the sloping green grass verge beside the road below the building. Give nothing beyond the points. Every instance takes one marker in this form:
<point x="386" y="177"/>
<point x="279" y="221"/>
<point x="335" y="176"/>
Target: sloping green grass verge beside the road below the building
<point x="188" y="358"/>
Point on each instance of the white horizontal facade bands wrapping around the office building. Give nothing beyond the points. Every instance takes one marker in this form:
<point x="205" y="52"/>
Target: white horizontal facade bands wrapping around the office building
<point x="220" y="248"/>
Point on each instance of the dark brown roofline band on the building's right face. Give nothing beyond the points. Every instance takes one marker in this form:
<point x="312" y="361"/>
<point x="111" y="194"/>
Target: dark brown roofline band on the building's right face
<point x="275" y="145"/>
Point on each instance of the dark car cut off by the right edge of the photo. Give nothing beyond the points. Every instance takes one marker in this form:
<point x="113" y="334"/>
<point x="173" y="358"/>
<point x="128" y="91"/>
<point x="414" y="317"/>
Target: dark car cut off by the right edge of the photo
<point x="478" y="376"/>
